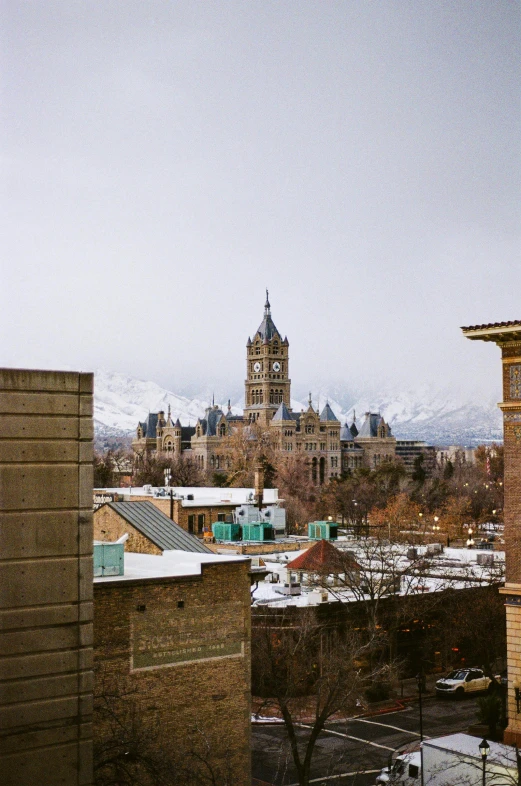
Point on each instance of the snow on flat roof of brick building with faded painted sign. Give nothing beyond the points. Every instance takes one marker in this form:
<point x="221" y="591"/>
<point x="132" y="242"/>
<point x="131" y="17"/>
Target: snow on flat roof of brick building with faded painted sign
<point x="170" y="563"/>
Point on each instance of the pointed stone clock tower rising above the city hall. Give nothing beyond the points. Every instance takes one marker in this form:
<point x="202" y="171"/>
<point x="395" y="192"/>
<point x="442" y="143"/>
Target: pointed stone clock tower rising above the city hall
<point x="267" y="372"/>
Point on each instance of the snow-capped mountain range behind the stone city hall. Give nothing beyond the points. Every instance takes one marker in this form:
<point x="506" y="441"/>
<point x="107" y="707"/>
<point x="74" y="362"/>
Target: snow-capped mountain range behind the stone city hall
<point x="438" y="417"/>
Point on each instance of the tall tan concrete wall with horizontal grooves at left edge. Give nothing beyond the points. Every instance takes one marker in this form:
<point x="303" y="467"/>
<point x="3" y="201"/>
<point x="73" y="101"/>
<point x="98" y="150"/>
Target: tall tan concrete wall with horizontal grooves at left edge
<point x="45" y="578"/>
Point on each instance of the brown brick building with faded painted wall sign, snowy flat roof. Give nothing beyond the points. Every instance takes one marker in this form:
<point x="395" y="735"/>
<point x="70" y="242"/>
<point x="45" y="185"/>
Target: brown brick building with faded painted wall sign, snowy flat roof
<point x="172" y="649"/>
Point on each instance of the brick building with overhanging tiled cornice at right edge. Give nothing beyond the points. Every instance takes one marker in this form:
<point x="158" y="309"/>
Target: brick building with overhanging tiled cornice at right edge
<point x="507" y="335"/>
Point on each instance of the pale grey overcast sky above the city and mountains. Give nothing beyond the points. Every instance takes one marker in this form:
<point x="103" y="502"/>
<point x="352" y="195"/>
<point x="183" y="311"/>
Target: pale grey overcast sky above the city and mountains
<point x="164" y="162"/>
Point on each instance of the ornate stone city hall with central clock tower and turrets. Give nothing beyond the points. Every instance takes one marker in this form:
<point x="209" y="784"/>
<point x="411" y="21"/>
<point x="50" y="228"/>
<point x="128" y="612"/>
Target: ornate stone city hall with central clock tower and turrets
<point x="331" y="449"/>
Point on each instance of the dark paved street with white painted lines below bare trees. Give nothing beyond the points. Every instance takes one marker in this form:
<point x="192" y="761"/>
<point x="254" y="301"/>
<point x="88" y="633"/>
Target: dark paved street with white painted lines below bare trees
<point x="351" y="753"/>
